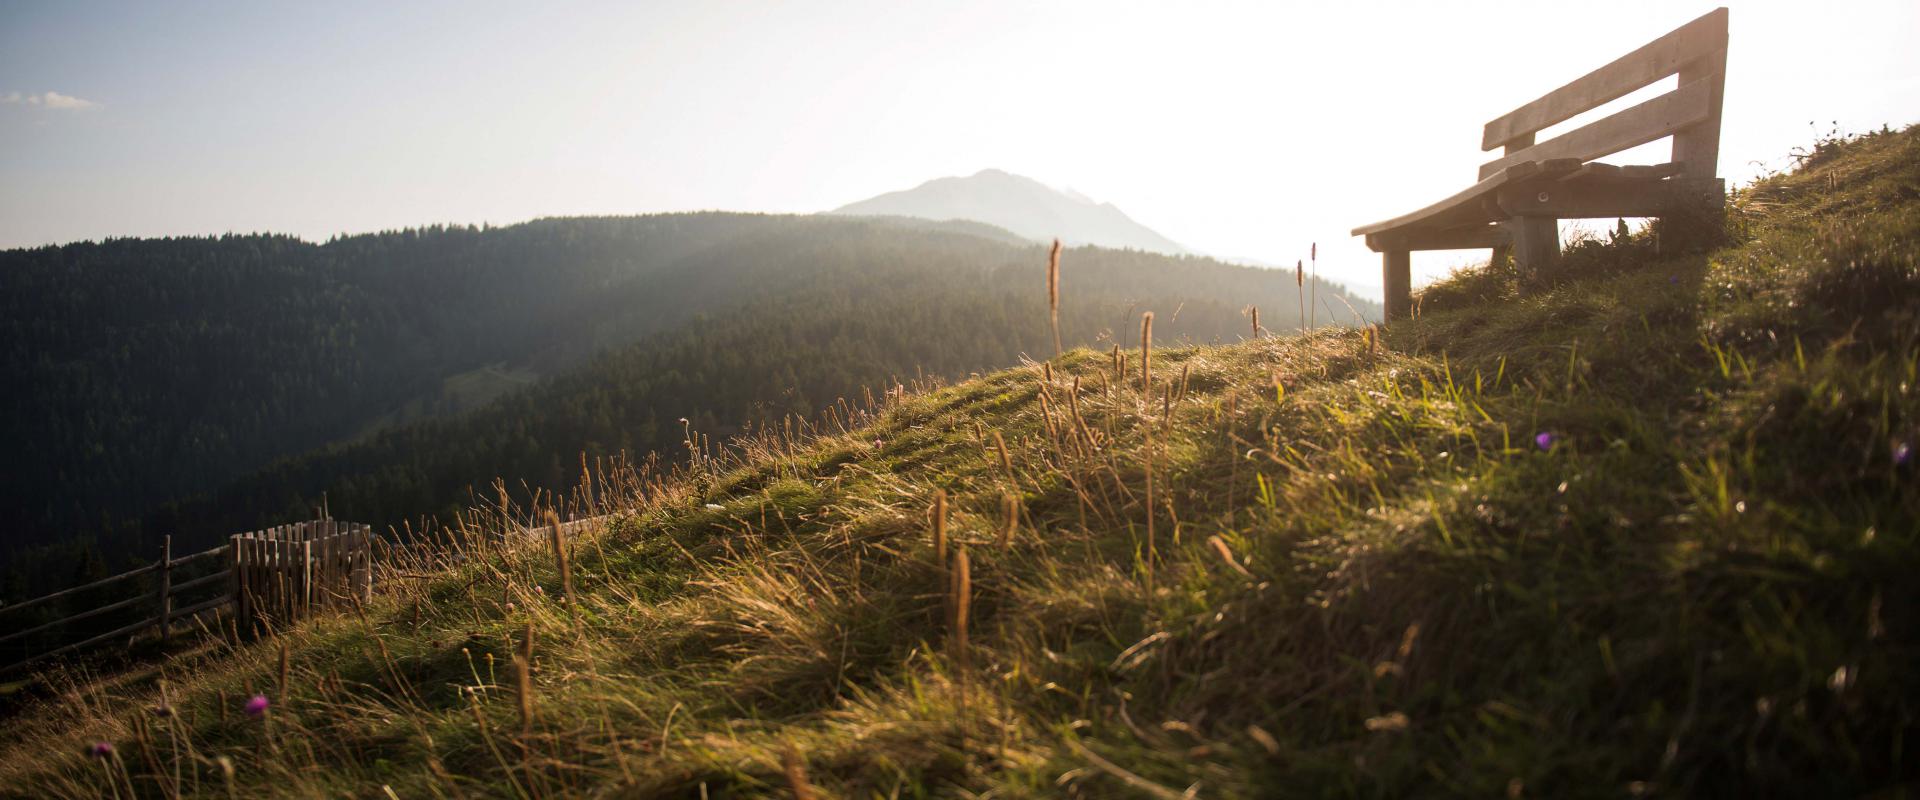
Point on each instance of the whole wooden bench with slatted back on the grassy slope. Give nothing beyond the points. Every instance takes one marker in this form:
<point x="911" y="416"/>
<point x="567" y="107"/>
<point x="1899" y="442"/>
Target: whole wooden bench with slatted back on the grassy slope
<point x="1529" y="189"/>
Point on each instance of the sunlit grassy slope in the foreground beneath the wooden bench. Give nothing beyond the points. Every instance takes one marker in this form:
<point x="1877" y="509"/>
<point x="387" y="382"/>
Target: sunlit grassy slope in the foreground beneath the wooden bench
<point x="1648" y="532"/>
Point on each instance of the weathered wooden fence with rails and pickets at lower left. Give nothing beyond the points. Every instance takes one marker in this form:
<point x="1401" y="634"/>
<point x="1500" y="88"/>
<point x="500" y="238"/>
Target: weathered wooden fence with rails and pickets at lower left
<point x="270" y="576"/>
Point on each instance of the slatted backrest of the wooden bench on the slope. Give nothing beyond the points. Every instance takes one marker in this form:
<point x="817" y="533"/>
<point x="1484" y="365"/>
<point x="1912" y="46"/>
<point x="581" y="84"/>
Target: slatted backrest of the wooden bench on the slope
<point x="1689" y="114"/>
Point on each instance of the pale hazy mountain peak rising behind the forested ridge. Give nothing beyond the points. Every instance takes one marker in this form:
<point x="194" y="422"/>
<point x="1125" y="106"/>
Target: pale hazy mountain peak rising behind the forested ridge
<point x="1022" y="206"/>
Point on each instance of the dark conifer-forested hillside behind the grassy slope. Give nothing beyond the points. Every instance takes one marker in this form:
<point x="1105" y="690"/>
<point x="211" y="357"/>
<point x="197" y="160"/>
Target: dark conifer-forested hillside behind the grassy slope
<point x="158" y="371"/>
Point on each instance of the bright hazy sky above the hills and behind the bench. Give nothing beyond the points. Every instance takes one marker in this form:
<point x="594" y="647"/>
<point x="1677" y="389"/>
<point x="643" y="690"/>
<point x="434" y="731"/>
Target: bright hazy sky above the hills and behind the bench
<point x="1237" y="129"/>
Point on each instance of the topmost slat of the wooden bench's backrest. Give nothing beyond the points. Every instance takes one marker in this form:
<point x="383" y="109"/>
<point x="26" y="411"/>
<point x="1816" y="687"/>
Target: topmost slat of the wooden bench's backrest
<point x="1652" y="62"/>
